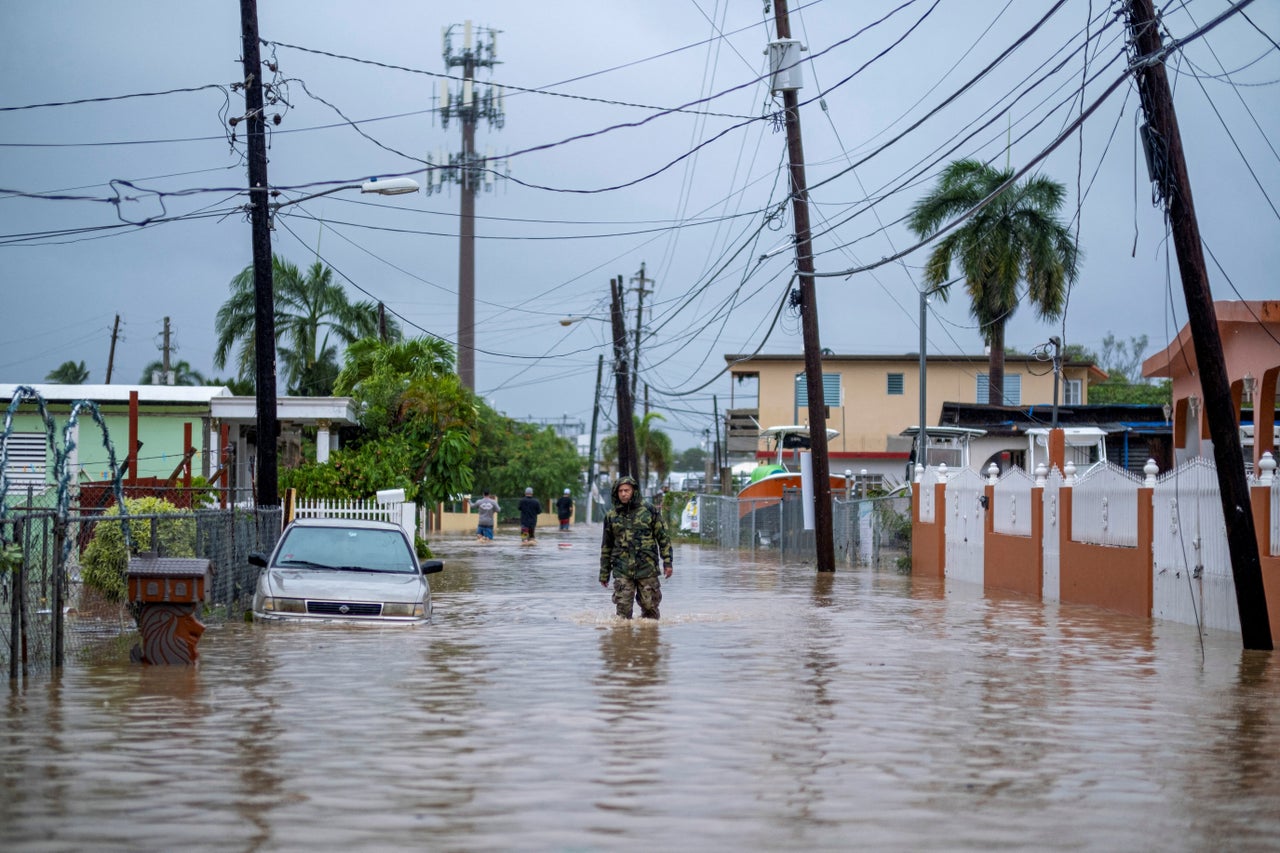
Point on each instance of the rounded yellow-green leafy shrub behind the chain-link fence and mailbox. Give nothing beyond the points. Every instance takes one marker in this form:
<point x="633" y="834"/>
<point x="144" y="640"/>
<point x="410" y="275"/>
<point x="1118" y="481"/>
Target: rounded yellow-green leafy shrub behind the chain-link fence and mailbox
<point x="106" y="563"/>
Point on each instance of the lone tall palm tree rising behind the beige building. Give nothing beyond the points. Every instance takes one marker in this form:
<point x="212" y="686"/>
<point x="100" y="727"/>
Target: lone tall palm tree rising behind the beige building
<point x="1017" y="238"/>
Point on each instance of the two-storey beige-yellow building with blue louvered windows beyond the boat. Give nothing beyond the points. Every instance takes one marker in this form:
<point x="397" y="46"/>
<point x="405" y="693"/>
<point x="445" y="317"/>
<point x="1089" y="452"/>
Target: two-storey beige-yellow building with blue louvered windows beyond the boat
<point x="872" y="399"/>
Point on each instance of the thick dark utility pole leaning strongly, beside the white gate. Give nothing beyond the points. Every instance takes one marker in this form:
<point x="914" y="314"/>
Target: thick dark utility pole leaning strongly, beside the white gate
<point x="1168" y="167"/>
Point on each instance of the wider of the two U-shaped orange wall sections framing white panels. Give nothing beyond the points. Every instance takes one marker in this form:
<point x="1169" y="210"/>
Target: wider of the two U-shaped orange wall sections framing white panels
<point x="1110" y="577"/>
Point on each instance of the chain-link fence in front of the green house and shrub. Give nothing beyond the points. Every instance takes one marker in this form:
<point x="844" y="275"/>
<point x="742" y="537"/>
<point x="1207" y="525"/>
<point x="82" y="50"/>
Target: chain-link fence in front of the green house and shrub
<point x="54" y="610"/>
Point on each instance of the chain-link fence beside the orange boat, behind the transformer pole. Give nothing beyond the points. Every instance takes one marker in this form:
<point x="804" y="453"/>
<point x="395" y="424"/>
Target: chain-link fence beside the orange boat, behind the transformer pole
<point x="867" y="532"/>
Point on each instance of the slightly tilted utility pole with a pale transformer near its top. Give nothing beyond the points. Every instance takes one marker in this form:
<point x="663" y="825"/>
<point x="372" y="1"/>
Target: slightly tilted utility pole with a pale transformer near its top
<point x="785" y="56"/>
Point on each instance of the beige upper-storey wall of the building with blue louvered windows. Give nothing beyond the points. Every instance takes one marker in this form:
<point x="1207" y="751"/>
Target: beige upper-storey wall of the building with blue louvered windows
<point x="868" y="414"/>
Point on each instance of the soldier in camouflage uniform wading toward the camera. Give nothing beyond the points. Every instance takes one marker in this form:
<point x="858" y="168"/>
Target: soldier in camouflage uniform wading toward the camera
<point x="636" y="537"/>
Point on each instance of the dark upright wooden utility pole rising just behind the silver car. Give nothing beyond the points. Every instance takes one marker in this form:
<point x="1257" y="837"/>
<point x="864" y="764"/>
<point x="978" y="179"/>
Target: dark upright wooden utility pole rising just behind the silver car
<point x="264" y="298"/>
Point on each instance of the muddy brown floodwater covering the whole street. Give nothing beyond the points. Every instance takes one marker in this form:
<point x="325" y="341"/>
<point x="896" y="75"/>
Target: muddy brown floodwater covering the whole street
<point x="769" y="710"/>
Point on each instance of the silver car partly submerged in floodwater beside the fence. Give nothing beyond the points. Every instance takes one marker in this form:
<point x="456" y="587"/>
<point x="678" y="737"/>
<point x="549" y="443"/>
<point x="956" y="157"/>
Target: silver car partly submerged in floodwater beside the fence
<point x="344" y="571"/>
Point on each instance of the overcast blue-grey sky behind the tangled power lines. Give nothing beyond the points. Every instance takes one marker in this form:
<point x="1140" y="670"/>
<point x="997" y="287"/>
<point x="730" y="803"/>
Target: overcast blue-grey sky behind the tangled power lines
<point x="893" y="93"/>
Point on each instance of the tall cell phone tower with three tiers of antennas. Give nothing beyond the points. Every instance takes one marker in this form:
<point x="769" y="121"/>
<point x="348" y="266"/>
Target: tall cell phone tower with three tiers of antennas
<point x="467" y="103"/>
